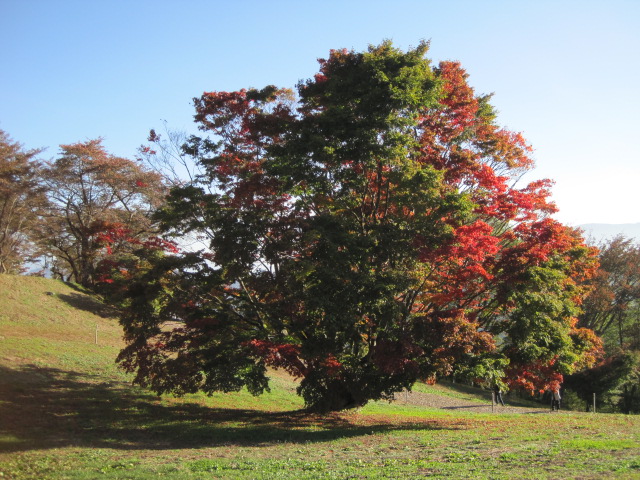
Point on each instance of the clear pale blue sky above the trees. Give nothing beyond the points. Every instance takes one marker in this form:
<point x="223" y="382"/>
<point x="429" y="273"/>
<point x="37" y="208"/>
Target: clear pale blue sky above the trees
<point x="565" y="73"/>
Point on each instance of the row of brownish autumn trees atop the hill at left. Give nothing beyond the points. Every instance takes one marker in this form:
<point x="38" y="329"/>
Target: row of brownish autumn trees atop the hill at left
<point x="62" y="215"/>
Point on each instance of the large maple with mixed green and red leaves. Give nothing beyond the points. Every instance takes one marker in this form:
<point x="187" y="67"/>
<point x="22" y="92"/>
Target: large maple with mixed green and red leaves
<point x="363" y="233"/>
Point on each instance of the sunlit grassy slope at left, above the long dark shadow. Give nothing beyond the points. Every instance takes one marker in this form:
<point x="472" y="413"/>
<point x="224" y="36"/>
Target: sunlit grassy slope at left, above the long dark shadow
<point x="49" y="323"/>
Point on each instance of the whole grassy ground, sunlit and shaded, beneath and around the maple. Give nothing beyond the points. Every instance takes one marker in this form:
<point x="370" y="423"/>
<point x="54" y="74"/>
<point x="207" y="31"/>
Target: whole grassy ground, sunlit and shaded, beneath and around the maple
<point x="67" y="412"/>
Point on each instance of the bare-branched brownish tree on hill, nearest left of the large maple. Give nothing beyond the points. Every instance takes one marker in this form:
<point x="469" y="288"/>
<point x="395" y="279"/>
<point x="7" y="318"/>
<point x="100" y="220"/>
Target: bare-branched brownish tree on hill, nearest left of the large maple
<point x="98" y="205"/>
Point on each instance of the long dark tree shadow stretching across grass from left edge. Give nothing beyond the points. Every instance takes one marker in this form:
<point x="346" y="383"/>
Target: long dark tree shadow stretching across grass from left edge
<point x="52" y="408"/>
